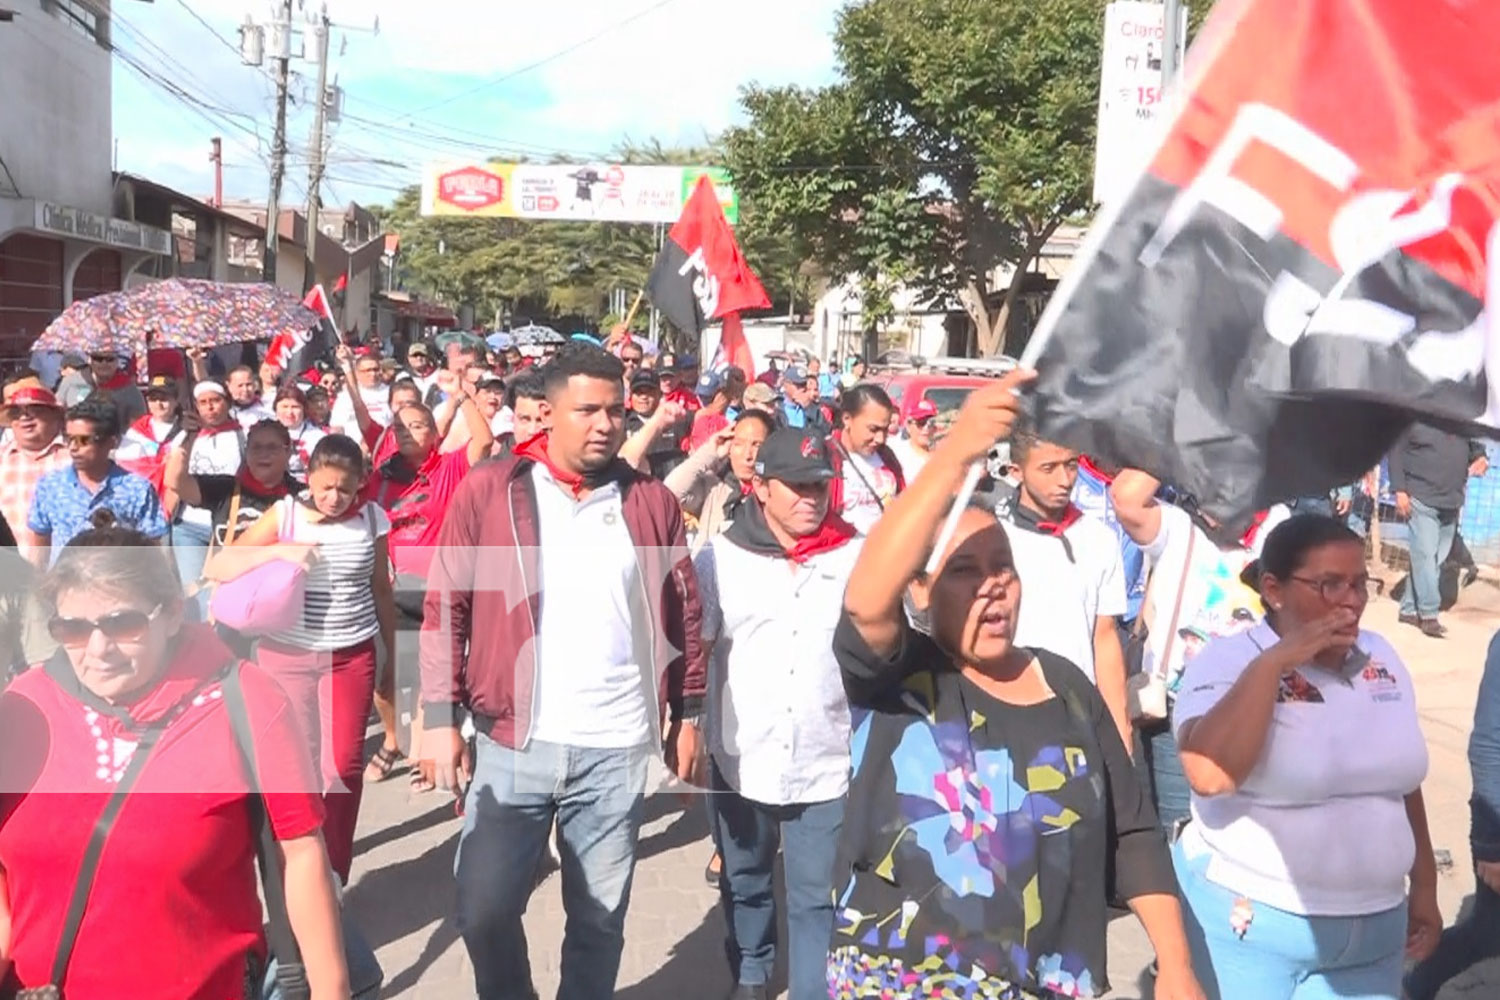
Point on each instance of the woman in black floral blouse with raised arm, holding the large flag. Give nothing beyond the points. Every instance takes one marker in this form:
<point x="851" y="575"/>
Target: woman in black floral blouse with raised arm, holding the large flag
<point x="991" y="789"/>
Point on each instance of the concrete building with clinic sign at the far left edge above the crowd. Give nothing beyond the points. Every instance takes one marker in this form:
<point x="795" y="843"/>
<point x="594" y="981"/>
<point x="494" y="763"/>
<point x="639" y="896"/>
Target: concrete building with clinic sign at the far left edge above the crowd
<point x="59" y="238"/>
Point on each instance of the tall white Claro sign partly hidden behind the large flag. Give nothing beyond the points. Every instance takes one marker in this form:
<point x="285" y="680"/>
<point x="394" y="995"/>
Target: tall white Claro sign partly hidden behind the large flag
<point x="1132" y="104"/>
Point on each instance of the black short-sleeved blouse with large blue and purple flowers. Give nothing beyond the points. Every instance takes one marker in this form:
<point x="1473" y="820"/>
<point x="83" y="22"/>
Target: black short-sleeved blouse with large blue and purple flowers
<point x="979" y="834"/>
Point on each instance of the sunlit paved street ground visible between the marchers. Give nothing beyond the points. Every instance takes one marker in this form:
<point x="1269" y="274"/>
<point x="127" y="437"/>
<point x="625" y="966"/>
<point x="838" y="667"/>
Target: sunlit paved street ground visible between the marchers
<point x="403" y="888"/>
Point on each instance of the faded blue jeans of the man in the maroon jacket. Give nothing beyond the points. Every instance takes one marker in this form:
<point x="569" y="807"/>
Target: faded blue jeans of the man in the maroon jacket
<point x="596" y="798"/>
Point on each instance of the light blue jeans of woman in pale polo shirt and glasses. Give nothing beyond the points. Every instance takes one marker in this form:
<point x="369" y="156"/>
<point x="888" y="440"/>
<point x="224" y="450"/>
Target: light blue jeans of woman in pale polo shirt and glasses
<point x="1286" y="956"/>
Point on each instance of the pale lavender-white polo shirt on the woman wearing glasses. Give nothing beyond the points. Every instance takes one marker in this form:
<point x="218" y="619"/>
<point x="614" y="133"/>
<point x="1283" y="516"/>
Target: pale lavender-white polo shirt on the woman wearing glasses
<point x="1319" y="828"/>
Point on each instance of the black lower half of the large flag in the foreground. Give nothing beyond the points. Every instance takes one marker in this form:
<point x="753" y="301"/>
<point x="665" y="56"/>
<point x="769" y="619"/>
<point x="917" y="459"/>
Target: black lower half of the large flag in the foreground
<point x="1196" y="392"/>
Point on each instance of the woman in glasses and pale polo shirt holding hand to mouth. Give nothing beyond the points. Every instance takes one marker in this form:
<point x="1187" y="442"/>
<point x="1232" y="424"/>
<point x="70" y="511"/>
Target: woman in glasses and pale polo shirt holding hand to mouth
<point x="1301" y="743"/>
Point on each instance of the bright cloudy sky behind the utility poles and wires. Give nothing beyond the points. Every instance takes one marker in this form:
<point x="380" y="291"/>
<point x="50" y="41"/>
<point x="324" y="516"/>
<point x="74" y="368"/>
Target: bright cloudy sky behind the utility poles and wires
<point x="673" y="74"/>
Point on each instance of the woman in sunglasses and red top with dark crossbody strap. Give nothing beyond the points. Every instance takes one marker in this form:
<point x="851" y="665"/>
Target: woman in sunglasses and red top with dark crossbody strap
<point x="137" y="704"/>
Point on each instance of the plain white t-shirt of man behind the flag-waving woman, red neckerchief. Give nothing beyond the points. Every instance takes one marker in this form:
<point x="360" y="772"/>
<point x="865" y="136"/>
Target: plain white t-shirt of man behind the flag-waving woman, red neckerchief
<point x="1064" y="596"/>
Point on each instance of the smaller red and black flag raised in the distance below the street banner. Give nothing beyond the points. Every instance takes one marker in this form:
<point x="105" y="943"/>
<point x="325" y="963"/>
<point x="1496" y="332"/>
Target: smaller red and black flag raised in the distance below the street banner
<point x="700" y="275"/>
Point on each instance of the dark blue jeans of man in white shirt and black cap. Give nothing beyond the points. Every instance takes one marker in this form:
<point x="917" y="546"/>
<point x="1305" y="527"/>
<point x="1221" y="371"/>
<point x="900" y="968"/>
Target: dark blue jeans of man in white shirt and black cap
<point x="749" y="834"/>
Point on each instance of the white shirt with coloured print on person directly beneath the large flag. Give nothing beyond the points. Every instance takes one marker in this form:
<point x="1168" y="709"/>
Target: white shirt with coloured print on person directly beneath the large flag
<point x="1214" y="599"/>
